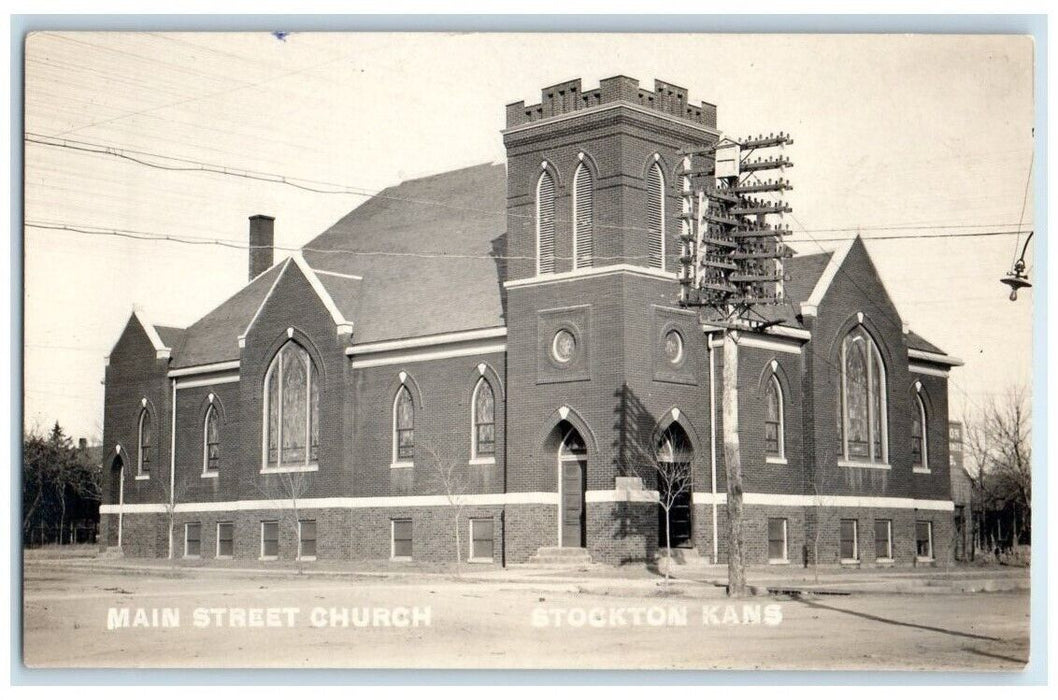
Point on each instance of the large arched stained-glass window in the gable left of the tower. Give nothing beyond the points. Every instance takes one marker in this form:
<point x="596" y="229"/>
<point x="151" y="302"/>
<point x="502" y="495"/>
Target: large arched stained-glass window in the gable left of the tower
<point x="293" y="410"/>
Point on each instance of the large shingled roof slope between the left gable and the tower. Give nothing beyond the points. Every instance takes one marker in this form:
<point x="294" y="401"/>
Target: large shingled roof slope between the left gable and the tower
<point x="427" y="252"/>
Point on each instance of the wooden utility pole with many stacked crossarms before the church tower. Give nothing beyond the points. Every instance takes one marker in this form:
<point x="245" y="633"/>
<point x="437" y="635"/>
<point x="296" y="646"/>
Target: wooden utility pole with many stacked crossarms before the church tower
<point x="732" y="263"/>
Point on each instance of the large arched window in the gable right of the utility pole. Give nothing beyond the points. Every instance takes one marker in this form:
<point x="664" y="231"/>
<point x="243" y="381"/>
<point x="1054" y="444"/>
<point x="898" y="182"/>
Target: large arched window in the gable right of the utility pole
<point x="865" y="417"/>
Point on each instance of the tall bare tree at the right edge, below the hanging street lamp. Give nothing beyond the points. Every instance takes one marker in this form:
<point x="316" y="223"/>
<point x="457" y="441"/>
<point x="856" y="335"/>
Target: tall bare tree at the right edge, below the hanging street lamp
<point x="999" y="441"/>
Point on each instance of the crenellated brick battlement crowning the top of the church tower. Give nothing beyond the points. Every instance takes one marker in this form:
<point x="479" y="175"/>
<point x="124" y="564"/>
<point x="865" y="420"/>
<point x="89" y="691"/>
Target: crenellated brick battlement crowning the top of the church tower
<point x="568" y="98"/>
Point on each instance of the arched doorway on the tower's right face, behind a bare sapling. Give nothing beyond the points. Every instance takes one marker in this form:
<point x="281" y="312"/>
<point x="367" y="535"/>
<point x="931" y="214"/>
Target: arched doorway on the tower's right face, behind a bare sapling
<point x="676" y="455"/>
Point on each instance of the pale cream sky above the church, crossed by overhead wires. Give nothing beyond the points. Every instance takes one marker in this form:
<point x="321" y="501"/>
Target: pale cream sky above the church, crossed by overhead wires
<point x="890" y="132"/>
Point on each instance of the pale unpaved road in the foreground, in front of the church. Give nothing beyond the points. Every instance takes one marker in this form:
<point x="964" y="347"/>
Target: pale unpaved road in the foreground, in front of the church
<point x="502" y="625"/>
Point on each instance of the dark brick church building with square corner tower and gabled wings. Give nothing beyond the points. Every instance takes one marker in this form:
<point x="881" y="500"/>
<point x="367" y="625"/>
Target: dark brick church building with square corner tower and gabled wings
<point x="520" y="346"/>
